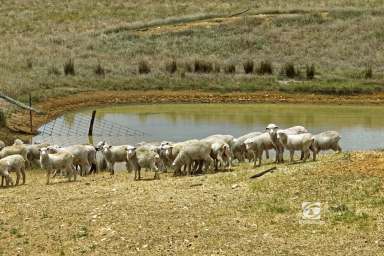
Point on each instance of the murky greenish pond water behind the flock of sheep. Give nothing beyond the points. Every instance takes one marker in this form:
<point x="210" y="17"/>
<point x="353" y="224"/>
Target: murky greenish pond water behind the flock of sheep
<point x="361" y="127"/>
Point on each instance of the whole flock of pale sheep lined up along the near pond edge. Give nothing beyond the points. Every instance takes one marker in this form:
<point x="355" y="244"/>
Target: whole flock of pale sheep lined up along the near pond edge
<point x="187" y="157"/>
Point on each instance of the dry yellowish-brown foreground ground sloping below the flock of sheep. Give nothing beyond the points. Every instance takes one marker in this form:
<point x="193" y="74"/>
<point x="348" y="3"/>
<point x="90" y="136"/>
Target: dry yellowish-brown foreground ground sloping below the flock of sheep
<point x="216" y="214"/>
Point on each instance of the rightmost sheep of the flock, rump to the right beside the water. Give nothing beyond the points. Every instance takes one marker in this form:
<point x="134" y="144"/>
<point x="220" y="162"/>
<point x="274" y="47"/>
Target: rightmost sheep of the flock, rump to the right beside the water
<point x="325" y="141"/>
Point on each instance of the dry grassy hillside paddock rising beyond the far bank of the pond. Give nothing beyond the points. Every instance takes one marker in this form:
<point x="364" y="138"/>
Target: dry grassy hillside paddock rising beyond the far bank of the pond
<point x="341" y="38"/>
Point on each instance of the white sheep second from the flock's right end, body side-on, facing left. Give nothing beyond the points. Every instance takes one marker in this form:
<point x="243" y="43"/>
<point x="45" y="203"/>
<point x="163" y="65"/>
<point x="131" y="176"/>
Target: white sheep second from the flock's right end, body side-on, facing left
<point x="292" y="142"/>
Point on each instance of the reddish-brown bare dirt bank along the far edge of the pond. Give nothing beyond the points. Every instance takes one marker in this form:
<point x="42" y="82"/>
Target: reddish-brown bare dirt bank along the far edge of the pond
<point x="56" y="106"/>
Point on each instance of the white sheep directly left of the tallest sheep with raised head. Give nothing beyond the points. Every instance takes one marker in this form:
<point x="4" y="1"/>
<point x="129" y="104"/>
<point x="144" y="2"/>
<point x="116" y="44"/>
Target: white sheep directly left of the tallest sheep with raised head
<point x="258" y="144"/>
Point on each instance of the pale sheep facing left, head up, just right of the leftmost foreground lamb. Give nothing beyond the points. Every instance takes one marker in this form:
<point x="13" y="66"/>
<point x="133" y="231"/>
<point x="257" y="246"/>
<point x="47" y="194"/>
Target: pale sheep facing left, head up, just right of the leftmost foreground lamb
<point x="62" y="160"/>
